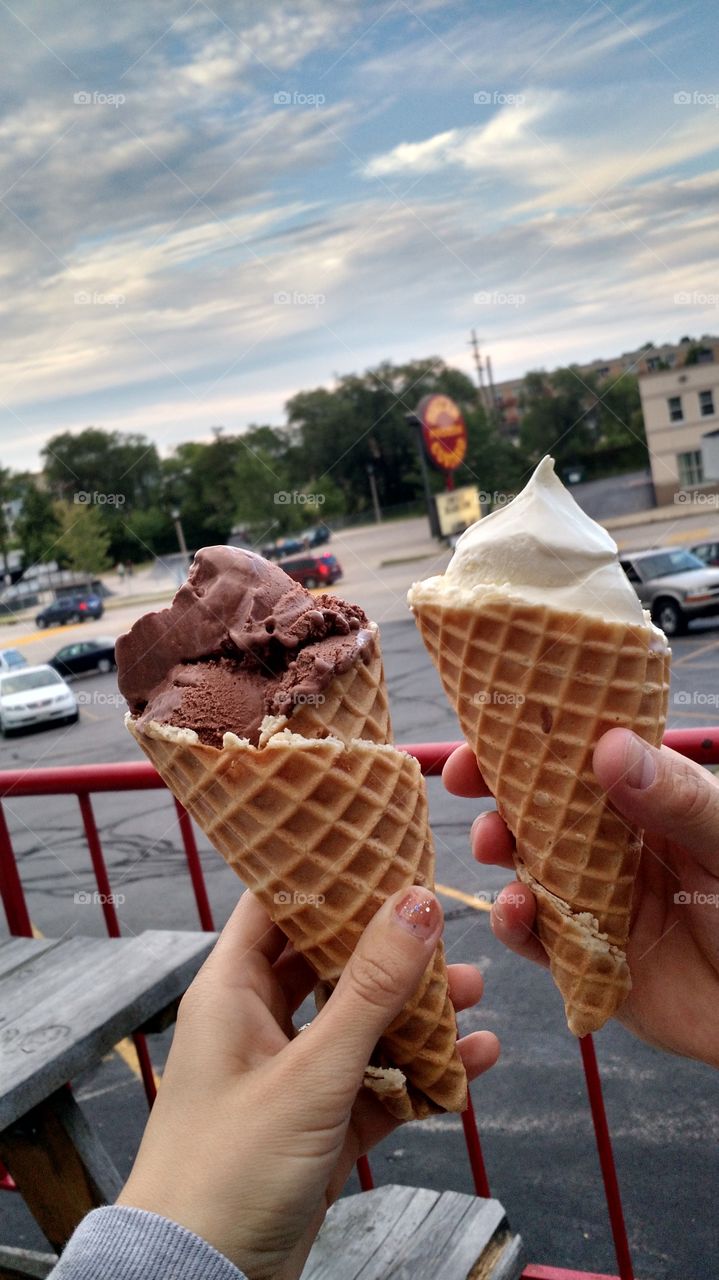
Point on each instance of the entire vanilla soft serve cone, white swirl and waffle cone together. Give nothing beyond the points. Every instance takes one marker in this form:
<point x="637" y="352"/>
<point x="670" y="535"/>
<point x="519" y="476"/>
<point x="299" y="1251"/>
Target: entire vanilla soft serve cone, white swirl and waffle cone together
<point x="542" y="648"/>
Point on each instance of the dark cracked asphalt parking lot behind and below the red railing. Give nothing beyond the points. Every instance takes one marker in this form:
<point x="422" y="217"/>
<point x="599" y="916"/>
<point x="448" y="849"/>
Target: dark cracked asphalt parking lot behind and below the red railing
<point x="533" y="1112"/>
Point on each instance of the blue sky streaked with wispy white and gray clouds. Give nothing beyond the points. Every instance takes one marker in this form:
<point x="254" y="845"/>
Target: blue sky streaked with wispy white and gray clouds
<point x="205" y="208"/>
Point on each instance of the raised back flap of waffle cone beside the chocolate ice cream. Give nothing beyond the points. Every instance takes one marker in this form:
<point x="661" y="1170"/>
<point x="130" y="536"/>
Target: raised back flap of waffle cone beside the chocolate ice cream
<point x="355" y="706"/>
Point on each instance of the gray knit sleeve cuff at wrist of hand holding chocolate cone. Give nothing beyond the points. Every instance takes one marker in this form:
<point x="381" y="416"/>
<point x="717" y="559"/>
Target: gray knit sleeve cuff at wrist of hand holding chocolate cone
<point x="122" y="1244"/>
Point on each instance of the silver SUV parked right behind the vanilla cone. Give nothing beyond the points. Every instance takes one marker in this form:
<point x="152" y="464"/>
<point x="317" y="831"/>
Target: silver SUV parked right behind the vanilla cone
<point x="675" y="586"/>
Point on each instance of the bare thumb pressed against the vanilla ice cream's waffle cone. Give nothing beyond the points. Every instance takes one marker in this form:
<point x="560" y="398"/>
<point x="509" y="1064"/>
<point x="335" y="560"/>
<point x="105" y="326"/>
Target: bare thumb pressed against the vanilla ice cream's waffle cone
<point x="662" y="792"/>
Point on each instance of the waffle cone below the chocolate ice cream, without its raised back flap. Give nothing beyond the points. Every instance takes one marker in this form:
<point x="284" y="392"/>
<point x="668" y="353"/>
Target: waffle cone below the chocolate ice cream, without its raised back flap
<point x="323" y="834"/>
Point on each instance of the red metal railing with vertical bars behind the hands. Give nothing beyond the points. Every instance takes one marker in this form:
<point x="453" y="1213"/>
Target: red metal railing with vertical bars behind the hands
<point x="84" y="781"/>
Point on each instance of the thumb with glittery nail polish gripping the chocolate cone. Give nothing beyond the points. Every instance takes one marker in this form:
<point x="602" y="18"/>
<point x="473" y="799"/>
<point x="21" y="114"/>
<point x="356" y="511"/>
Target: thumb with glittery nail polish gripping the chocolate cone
<point x="381" y="977"/>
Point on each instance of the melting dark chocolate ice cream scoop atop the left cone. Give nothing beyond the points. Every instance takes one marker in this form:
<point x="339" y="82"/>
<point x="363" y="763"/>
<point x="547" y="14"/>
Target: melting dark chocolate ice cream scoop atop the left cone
<point x="241" y="641"/>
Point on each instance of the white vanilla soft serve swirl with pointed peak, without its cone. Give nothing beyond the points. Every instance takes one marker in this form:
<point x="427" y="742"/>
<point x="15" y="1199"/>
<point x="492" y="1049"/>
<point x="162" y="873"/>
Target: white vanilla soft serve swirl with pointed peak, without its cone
<point x="541" y="548"/>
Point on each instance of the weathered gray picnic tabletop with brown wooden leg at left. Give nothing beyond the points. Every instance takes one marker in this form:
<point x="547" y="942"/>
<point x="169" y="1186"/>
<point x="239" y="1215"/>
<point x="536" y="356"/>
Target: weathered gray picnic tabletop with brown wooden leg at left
<point x="65" y="1005"/>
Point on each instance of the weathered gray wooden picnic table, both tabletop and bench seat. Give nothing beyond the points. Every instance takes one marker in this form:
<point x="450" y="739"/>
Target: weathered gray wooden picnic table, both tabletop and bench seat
<point x="66" y="1004"/>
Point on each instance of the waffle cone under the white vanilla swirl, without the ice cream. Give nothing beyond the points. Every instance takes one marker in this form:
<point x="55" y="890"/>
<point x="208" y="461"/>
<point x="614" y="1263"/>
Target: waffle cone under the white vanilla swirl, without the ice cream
<point x="534" y="691"/>
